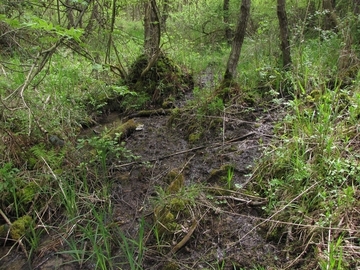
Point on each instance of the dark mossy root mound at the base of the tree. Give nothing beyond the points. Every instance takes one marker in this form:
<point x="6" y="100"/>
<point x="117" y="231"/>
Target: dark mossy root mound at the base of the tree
<point x="161" y="81"/>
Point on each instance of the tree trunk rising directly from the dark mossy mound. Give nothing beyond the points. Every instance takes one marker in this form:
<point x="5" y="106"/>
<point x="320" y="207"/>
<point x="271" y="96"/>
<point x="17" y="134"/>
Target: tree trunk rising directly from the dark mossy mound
<point x="152" y="29"/>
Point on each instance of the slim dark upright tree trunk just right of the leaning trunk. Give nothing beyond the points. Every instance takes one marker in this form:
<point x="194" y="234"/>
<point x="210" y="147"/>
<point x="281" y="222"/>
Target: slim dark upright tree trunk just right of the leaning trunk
<point x="284" y="33"/>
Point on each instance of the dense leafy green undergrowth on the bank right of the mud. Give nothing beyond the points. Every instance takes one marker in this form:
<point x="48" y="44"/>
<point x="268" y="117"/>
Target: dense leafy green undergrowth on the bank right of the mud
<point x="311" y="176"/>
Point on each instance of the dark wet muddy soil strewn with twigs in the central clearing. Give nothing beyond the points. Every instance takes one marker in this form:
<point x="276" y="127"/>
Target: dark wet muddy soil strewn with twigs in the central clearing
<point x="226" y="234"/>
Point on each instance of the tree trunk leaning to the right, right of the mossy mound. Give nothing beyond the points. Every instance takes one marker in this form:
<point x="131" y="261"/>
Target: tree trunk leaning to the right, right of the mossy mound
<point x="238" y="41"/>
